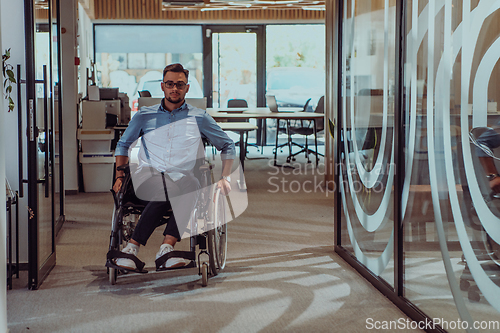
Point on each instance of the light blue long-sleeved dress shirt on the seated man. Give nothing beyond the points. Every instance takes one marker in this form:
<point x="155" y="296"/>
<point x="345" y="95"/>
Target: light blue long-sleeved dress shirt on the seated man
<point x="171" y="141"/>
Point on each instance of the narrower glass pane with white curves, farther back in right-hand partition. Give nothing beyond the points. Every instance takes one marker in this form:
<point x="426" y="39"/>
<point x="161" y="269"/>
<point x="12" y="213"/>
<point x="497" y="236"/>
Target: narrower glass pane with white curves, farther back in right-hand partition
<point x="367" y="139"/>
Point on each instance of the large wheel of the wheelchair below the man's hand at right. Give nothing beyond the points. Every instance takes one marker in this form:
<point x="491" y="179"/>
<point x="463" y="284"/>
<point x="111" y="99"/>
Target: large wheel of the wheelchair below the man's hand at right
<point x="217" y="237"/>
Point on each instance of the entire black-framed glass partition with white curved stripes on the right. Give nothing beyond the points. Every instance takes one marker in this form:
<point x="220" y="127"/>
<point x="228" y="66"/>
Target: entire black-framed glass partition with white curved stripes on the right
<point x="418" y="156"/>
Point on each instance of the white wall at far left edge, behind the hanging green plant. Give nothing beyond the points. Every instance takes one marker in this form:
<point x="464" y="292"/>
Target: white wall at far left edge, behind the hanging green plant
<point x="12" y="27"/>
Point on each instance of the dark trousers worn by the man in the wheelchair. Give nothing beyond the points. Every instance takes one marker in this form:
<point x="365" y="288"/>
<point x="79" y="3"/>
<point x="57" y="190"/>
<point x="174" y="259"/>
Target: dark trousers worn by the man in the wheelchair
<point x="181" y="197"/>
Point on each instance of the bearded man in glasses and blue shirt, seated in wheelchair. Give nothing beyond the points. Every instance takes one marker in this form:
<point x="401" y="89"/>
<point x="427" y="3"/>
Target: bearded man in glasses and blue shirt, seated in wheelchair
<point x="170" y="137"/>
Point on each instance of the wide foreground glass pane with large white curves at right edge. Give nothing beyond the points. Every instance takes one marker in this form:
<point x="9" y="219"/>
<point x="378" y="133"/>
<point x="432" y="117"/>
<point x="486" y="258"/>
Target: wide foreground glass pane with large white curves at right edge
<point x="452" y="224"/>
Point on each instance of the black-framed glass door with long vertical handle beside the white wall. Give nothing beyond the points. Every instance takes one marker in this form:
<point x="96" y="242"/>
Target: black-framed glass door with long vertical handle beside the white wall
<point x="41" y="236"/>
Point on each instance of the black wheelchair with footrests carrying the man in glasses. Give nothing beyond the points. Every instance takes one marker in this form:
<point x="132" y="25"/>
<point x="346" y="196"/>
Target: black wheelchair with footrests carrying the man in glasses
<point x="207" y="226"/>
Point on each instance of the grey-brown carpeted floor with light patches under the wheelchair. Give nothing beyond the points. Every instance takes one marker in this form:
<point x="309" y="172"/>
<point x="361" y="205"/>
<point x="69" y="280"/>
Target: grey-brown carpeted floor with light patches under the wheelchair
<point x="281" y="274"/>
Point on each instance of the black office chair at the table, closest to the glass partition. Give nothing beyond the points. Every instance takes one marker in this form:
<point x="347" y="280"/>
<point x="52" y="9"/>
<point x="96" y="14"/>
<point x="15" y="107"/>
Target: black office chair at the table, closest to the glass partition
<point x="306" y="128"/>
